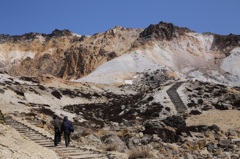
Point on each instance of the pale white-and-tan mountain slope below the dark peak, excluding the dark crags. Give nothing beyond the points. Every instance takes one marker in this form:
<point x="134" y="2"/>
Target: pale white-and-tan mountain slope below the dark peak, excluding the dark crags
<point x="189" y="57"/>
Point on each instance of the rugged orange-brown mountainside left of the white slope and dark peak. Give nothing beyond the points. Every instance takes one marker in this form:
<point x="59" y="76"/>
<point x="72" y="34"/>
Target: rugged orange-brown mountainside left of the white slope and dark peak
<point x="62" y="53"/>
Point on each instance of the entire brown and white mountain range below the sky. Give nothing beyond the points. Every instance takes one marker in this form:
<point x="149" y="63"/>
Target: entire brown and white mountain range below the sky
<point x="119" y="53"/>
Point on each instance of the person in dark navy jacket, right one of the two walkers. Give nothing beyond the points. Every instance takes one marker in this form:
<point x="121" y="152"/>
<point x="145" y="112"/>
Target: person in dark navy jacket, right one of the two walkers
<point x="67" y="128"/>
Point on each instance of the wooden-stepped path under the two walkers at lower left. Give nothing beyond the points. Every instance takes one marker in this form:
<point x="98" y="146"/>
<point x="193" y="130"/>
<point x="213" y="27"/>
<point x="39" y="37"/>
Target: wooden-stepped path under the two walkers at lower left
<point x="71" y="152"/>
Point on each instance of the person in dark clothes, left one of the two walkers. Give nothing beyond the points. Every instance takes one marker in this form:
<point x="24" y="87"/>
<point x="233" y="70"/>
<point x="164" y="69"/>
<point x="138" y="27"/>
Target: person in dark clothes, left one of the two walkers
<point x="57" y="129"/>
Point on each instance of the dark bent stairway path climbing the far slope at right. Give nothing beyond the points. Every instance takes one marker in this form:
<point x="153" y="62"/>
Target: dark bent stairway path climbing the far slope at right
<point x="174" y="96"/>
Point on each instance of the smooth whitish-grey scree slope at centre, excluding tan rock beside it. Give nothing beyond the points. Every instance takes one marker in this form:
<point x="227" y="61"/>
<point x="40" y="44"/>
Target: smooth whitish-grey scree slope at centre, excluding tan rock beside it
<point x="126" y="66"/>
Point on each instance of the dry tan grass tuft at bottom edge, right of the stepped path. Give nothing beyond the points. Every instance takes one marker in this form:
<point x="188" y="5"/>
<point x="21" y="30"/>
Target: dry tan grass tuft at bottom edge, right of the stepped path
<point x="140" y="152"/>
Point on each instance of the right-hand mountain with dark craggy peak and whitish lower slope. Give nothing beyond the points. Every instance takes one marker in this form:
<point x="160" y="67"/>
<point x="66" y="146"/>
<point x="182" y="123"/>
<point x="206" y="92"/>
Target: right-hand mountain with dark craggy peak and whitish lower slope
<point x="187" y="54"/>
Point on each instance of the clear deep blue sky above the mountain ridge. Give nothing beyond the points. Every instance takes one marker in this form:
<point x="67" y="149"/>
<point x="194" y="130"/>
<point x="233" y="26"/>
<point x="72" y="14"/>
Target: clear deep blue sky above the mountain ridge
<point x="87" y="17"/>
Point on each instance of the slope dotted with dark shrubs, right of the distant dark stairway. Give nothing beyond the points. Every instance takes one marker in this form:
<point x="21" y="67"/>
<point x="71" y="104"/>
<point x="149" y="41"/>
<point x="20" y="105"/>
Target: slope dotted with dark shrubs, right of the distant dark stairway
<point x="203" y="96"/>
